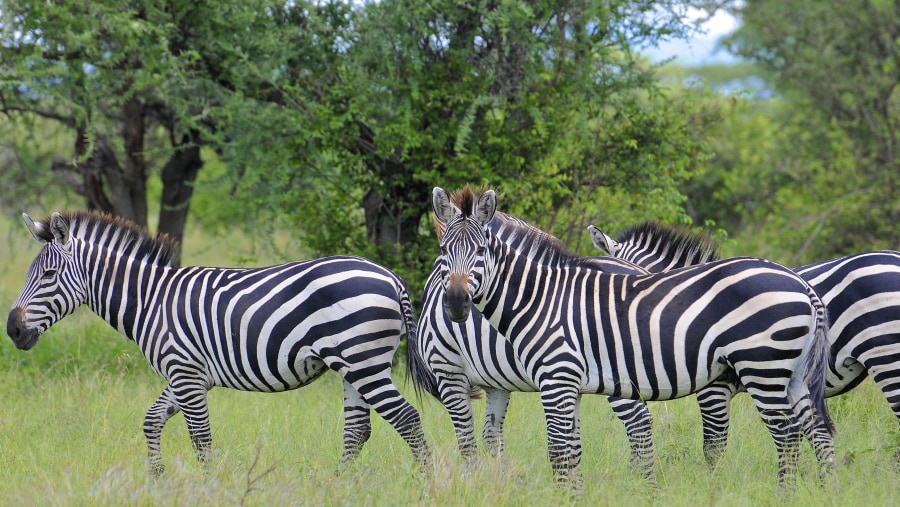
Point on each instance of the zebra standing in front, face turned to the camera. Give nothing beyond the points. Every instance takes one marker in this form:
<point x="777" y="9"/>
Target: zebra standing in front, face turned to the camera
<point x="577" y="329"/>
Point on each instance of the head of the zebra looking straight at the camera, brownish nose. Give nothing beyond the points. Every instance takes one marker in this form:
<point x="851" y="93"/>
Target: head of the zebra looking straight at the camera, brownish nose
<point x="463" y="246"/>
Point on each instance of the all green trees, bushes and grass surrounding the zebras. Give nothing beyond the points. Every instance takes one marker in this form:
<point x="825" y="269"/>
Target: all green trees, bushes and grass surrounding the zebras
<point x="260" y="131"/>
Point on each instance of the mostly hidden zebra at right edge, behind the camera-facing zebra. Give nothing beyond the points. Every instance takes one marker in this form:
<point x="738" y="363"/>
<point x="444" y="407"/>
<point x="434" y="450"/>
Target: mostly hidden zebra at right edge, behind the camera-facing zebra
<point x="861" y="294"/>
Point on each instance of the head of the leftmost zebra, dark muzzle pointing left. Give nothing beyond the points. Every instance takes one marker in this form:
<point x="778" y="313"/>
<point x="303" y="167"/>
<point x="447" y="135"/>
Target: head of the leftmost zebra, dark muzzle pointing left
<point x="53" y="287"/>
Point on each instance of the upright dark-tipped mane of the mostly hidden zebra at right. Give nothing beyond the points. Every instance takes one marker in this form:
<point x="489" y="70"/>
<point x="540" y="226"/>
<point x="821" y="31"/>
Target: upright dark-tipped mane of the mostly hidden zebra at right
<point x="675" y="242"/>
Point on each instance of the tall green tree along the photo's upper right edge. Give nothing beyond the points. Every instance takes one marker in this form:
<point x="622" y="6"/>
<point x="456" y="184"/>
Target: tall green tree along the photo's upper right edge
<point x="841" y="62"/>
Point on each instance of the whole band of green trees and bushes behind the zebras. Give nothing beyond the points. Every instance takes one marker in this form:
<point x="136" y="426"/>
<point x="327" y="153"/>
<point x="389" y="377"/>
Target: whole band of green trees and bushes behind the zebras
<point x="331" y="121"/>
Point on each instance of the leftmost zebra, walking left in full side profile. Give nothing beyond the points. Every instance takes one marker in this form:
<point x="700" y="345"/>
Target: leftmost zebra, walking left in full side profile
<point x="267" y="329"/>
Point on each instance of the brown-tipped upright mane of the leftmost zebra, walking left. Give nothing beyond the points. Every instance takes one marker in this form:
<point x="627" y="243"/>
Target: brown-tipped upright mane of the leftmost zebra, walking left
<point x="116" y="233"/>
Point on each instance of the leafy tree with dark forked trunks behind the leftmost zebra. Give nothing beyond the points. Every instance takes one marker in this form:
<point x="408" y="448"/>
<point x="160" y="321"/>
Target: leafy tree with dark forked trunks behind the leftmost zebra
<point x="139" y="87"/>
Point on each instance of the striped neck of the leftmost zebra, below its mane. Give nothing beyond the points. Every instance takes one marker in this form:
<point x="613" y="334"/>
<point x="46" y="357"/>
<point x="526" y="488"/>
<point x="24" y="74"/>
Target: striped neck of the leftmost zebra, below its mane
<point x="121" y="289"/>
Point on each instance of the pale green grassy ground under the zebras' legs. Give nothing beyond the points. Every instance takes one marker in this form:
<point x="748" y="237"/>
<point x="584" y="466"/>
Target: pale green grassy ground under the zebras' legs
<point x="71" y="411"/>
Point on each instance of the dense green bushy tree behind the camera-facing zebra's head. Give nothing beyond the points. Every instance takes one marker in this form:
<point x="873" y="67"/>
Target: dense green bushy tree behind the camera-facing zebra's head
<point x="549" y="101"/>
